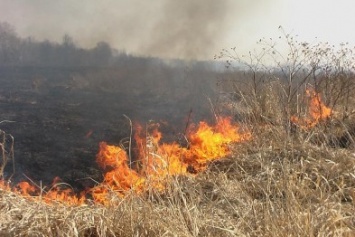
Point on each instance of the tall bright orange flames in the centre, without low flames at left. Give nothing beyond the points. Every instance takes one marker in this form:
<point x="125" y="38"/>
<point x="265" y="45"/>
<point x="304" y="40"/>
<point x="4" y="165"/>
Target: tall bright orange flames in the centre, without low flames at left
<point x="159" y="161"/>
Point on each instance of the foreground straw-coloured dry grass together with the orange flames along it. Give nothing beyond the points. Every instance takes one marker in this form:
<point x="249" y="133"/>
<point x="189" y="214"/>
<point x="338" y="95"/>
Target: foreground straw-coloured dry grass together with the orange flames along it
<point x="275" y="184"/>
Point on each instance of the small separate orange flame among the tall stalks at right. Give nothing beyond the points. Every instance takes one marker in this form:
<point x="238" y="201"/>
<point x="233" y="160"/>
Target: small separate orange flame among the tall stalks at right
<point x="317" y="111"/>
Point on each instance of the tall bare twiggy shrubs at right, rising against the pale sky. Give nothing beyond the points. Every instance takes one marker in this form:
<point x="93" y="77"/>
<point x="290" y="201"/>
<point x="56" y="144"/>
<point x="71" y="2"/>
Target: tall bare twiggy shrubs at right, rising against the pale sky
<point x="291" y="66"/>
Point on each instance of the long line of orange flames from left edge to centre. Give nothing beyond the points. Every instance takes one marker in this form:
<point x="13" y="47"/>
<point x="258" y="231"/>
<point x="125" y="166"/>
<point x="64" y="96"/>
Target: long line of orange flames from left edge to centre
<point x="157" y="162"/>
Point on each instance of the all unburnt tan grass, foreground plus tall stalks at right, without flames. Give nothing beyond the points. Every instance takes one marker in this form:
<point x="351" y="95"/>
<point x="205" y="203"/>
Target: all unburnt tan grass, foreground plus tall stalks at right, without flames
<point x="286" y="181"/>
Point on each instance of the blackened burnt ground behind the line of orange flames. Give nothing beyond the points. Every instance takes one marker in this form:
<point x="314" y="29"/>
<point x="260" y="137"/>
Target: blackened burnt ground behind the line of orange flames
<point x="61" y="114"/>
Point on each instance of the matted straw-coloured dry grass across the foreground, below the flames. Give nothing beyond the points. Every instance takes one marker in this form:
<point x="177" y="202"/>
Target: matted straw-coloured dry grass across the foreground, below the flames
<point x="271" y="186"/>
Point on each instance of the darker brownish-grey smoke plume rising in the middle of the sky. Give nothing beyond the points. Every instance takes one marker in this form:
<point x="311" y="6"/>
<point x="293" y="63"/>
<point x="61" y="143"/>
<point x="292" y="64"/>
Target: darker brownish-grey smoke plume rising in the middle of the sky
<point x="188" y="29"/>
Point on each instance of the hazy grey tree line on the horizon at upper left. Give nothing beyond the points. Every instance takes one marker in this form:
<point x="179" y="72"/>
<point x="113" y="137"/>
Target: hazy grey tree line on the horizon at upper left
<point x="17" y="51"/>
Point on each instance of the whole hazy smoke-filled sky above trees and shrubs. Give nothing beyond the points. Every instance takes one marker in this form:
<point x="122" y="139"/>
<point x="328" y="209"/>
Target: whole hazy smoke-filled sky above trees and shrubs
<point x="179" y="28"/>
